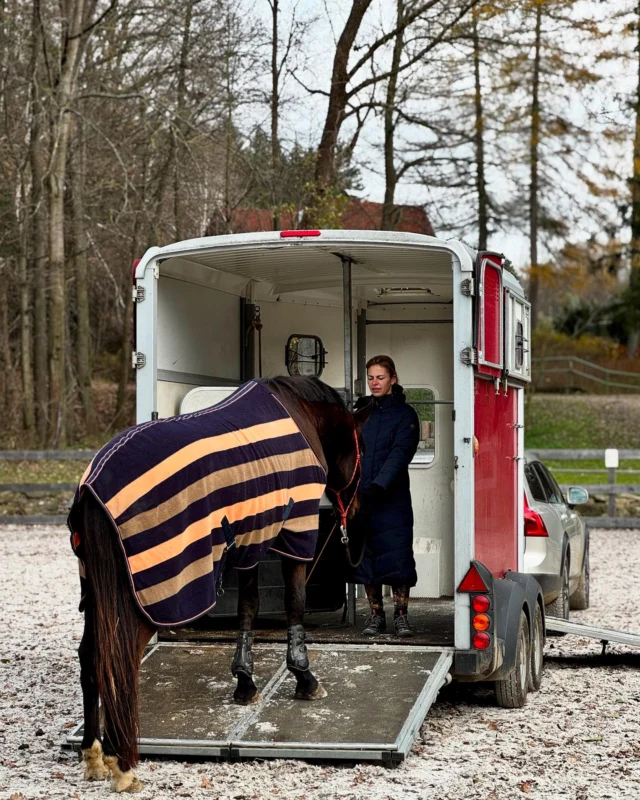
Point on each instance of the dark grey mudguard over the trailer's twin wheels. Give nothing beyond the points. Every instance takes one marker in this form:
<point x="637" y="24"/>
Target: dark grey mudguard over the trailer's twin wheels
<point x="514" y="593"/>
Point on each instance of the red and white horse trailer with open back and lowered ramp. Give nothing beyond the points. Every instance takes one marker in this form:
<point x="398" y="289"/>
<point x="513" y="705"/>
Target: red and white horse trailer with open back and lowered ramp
<point x="214" y="313"/>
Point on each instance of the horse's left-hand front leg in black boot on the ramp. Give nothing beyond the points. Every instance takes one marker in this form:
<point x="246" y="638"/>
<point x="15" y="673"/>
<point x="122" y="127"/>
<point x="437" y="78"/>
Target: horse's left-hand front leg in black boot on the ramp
<point x="246" y="691"/>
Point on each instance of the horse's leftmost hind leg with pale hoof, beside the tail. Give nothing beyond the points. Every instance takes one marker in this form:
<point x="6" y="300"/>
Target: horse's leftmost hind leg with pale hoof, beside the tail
<point x="91" y="746"/>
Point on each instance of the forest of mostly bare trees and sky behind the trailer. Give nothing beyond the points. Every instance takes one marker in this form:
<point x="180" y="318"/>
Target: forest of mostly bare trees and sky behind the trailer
<point x="126" y="124"/>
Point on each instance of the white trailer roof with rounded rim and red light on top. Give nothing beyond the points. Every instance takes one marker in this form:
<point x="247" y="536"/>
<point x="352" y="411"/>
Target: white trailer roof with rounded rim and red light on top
<point x="383" y="262"/>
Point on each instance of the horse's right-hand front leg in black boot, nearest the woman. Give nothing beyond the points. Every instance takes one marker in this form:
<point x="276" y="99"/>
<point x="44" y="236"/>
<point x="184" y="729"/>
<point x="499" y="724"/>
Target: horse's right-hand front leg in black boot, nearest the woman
<point x="307" y="686"/>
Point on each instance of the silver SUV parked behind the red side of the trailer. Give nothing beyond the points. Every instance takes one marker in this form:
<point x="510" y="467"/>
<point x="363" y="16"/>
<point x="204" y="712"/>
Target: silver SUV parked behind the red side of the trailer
<point x="556" y="541"/>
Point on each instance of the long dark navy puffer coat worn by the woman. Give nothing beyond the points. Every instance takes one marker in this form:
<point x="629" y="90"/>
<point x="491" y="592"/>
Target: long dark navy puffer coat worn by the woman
<point x="391" y="435"/>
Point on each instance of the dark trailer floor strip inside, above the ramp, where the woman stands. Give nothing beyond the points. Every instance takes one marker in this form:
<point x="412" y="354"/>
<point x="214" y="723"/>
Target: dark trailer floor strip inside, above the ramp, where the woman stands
<point x="431" y="620"/>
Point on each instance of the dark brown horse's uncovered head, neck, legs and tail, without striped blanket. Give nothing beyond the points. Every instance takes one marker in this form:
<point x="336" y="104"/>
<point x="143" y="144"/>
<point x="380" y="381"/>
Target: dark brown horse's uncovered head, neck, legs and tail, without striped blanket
<point x="116" y="631"/>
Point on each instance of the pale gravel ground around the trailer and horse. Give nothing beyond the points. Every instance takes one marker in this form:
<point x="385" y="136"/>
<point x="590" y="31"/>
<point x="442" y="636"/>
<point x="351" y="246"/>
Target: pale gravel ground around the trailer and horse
<point x="579" y="737"/>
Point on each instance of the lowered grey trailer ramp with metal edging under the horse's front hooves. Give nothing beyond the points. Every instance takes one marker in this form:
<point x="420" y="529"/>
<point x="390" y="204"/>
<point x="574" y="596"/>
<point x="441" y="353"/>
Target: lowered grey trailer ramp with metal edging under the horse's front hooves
<point x="187" y="708"/>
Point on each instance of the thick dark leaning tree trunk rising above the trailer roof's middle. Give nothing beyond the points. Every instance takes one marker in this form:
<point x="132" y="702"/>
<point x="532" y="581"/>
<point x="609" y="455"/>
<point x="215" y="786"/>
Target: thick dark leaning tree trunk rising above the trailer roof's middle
<point x="325" y="163"/>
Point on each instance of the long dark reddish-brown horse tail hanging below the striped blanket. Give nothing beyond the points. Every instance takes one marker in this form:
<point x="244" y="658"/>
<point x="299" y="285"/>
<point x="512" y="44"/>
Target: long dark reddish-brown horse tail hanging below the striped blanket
<point x="116" y="625"/>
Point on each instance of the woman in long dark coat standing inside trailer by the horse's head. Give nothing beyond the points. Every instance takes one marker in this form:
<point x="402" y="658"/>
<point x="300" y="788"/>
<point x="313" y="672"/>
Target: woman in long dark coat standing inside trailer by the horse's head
<point x="391" y="434"/>
